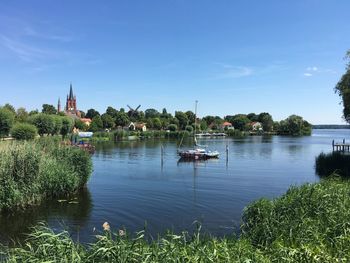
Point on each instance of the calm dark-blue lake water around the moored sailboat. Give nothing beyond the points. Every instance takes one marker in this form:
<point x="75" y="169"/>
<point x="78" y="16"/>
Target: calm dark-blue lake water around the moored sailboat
<point x="131" y="187"/>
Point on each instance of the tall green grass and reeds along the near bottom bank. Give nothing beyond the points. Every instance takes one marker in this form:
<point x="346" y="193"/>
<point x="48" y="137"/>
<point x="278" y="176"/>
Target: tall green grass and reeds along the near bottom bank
<point x="308" y="224"/>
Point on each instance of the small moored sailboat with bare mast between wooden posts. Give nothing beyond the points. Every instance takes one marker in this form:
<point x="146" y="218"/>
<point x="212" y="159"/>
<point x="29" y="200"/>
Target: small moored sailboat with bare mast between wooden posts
<point x="198" y="152"/>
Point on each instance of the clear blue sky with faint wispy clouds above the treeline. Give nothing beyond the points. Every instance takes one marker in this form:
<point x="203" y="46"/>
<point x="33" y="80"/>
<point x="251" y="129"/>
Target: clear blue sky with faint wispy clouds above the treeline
<point x="281" y="57"/>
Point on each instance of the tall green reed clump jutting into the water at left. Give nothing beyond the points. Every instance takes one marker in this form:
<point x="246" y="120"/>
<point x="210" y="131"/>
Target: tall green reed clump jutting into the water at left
<point x="31" y="171"/>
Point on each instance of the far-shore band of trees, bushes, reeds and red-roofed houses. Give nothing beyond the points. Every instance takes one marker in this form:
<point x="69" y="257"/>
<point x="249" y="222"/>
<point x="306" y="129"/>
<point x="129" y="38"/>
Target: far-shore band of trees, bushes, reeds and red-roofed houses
<point x="23" y="125"/>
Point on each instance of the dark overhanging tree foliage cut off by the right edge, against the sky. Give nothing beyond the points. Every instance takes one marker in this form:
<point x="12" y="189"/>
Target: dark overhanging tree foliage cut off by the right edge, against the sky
<point x="343" y="90"/>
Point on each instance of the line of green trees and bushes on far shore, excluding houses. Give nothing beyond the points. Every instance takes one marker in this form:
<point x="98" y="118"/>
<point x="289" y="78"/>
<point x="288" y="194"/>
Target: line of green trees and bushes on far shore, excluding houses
<point x="49" y="122"/>
